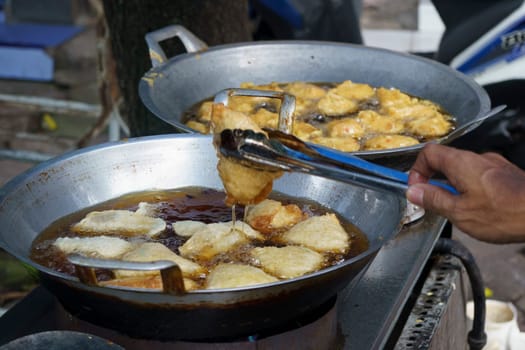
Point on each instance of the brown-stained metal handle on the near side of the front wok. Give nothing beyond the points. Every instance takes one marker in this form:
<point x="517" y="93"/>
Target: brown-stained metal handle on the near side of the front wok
<point x="170" y="272"/>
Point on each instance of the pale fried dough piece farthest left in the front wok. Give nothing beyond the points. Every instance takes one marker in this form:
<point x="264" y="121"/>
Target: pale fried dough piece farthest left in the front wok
<point x="96" y="247"/>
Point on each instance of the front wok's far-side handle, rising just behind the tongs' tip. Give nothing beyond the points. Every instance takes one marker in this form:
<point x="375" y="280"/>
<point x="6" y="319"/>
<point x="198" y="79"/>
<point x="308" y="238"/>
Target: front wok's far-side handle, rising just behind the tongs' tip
<point x="287" y="103"/>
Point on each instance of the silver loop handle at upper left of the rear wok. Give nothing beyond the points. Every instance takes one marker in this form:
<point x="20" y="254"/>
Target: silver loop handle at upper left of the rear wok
<point x="189" y="40"/>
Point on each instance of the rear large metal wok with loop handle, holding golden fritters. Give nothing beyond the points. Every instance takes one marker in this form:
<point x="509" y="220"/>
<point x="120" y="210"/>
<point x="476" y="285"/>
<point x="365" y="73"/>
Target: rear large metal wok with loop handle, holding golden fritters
<point x="174" y="85"/>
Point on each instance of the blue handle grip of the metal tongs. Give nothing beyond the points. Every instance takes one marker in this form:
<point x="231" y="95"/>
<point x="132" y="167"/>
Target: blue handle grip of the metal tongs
<point x="372" y="168"/>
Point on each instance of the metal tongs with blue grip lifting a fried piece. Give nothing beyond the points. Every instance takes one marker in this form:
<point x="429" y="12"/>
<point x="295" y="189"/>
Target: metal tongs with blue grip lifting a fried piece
<point x="280" y="151"/>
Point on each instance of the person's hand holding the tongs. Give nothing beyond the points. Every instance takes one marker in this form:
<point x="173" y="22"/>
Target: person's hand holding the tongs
<point x="491" y="203"/>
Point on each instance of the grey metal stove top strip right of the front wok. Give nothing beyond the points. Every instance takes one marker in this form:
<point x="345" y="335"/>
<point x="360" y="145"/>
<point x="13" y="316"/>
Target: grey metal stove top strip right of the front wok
<point x="368" y="312"/>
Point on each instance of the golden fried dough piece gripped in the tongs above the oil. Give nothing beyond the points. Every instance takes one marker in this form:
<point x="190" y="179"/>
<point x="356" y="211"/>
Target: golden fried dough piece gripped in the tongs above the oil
<point x="243" y="185"/>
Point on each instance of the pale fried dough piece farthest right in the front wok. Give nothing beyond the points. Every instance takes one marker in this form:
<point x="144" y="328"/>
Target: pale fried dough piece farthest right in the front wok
<point x="320" y="233"/>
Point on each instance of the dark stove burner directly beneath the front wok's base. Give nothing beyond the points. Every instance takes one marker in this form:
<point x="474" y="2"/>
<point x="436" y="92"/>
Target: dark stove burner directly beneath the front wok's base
<point x="315" y="330"/>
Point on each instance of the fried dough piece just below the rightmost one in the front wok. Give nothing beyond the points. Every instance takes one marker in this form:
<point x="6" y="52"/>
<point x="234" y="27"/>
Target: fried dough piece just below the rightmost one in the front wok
<point x="287" y="262"/>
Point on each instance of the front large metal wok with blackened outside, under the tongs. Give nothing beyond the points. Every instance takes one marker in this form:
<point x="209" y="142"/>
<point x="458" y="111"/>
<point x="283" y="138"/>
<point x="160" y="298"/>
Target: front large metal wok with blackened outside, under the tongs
<point x="81" y="179"/>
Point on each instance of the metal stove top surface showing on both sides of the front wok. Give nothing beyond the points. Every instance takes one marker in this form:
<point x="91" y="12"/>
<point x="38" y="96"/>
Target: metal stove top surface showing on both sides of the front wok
<point x="368" y="310"/>
